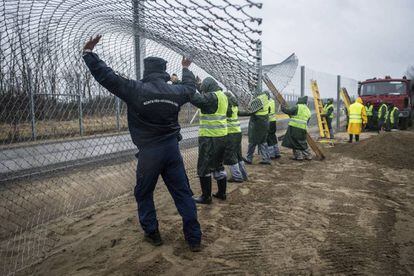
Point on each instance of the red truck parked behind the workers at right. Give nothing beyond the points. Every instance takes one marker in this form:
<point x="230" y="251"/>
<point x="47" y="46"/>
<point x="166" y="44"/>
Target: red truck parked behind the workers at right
<point x="400" y="92"/>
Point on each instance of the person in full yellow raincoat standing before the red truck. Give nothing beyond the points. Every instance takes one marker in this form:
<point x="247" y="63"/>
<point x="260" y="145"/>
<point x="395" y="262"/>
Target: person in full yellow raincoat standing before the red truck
<point x="357" y="119"/>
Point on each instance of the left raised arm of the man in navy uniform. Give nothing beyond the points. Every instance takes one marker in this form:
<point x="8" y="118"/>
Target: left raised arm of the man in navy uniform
<point x="105" y="76"/>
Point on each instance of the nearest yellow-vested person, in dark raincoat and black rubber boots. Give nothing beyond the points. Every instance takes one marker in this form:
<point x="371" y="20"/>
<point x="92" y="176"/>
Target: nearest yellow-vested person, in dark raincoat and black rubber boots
<point x="213" y="105"/>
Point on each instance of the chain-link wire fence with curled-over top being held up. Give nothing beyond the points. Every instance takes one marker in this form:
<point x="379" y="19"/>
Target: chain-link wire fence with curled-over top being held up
<point x="64" y="143"/>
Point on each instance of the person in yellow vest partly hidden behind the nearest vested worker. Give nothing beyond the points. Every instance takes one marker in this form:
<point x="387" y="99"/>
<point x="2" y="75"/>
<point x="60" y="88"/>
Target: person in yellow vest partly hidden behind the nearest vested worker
<point x="233" y="156"/>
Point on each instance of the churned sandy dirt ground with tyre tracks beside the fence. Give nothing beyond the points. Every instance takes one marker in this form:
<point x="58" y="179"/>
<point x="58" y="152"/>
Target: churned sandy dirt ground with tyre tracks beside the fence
<point x="351" y="214"/>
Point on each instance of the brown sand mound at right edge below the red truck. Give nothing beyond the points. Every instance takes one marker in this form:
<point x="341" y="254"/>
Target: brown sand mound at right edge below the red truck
<point x="392" y="149"/>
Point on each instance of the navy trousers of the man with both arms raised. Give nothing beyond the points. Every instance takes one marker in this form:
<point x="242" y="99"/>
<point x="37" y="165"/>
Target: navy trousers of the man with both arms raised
<point x="165" y="159"/>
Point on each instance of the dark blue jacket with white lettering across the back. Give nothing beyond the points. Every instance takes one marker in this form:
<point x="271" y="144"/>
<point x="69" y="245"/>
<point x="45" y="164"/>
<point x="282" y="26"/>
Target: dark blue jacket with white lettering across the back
<point x="152" y="103"/>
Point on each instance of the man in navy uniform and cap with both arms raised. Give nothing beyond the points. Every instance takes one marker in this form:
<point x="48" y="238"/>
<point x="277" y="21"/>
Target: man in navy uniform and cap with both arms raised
<point x="153" y="107"/>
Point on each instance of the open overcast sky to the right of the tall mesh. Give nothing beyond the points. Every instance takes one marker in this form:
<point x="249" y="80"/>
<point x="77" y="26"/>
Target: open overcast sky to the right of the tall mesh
<point x="353" y="38"/>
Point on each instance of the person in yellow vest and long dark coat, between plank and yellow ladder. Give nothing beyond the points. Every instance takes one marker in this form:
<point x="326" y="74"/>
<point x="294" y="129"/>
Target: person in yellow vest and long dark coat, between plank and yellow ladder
<point x="295" y="137"/>
